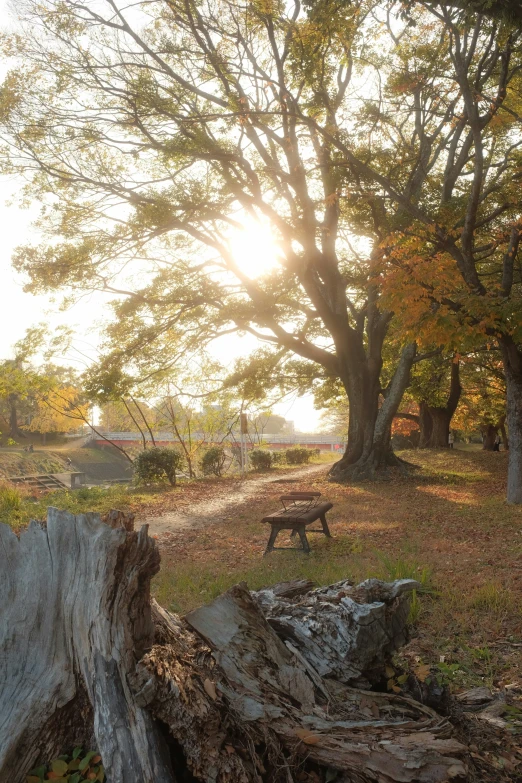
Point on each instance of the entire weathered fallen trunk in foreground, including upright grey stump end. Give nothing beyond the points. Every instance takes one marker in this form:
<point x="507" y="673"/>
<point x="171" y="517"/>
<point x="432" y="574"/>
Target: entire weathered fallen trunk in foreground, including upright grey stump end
<point x="216" y="697"/>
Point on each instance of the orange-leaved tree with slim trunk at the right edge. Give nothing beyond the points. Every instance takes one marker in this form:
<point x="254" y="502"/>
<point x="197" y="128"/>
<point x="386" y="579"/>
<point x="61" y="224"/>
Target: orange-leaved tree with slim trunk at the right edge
<point x="445" y="146"/>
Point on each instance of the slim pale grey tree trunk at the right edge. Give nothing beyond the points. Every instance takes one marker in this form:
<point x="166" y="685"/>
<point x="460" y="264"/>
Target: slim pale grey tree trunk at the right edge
<point x="512" y="360"/>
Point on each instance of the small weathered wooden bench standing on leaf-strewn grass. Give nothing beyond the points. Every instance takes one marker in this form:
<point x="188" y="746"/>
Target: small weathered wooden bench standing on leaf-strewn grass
<point x="303" y="509"/>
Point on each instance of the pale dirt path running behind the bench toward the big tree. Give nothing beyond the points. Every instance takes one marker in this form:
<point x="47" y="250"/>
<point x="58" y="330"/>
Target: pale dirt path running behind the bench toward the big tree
<point x="223" y="503"/>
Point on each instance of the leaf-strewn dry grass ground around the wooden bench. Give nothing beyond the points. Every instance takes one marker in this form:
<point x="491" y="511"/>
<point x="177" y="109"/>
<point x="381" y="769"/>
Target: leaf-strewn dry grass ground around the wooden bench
<point x="448" y="526"/>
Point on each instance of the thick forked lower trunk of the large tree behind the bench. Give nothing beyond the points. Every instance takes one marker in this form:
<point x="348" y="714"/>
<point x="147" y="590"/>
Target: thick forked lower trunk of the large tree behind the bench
<point x="369" y="434"/>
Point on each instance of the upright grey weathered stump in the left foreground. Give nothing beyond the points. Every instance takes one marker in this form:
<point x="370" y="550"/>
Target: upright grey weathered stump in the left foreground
<point x="75" y="618"/>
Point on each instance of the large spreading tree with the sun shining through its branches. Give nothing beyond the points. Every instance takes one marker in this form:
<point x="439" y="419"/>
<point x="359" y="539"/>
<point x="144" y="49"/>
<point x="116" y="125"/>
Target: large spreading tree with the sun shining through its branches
<point x="150" y="135"/>
